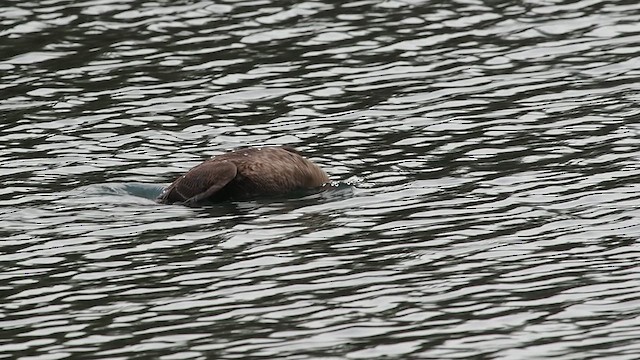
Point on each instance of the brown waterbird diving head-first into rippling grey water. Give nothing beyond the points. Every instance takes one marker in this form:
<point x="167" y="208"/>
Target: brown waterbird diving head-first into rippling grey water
<point x="245" y="174"/>
